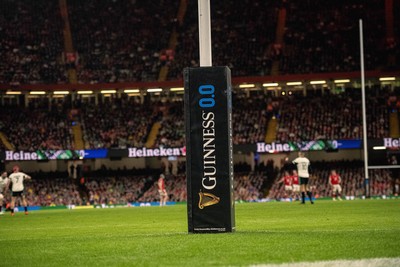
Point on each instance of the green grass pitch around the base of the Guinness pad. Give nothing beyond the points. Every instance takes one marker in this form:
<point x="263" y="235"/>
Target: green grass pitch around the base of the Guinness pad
<point x="266" y="233"/>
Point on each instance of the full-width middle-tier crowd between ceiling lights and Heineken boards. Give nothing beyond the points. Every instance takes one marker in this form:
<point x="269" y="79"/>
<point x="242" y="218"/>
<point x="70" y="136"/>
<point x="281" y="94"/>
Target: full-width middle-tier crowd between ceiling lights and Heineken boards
<point x="124" y="122"/>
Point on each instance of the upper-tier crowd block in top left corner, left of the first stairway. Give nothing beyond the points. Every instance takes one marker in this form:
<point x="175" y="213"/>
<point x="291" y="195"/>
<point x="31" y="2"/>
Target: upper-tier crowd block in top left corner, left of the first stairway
<point x="33" y="53"/>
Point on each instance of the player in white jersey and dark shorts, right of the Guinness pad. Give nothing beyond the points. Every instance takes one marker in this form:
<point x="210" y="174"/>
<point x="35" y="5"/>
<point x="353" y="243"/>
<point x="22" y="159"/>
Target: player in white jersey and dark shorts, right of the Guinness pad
<point x="303" y="170"/>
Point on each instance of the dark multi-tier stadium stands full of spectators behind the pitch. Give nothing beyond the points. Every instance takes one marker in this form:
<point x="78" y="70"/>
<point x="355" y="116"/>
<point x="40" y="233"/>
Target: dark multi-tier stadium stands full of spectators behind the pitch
<point x="137" y="45"/>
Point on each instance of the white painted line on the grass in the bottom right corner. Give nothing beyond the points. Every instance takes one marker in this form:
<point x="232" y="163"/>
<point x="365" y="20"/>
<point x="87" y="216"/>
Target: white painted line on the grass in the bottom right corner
<point x="377" y="262"/>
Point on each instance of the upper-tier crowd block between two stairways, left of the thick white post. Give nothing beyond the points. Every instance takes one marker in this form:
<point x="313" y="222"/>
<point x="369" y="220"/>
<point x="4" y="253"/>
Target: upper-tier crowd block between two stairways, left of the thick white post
<point x="123" y="41"/>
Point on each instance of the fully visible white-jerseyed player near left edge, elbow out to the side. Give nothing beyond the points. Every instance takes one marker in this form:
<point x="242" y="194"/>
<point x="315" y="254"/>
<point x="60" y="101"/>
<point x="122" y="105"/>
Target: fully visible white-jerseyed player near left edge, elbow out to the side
<point x="17" y="179"/>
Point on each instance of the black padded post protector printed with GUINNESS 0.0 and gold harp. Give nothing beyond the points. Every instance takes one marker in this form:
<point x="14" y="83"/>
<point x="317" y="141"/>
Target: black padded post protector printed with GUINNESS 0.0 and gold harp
<point x="209" y="160"/>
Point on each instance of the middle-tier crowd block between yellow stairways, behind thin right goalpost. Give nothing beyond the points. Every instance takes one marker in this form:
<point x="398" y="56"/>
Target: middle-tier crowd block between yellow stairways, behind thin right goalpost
<point x="333" y="117"/>
